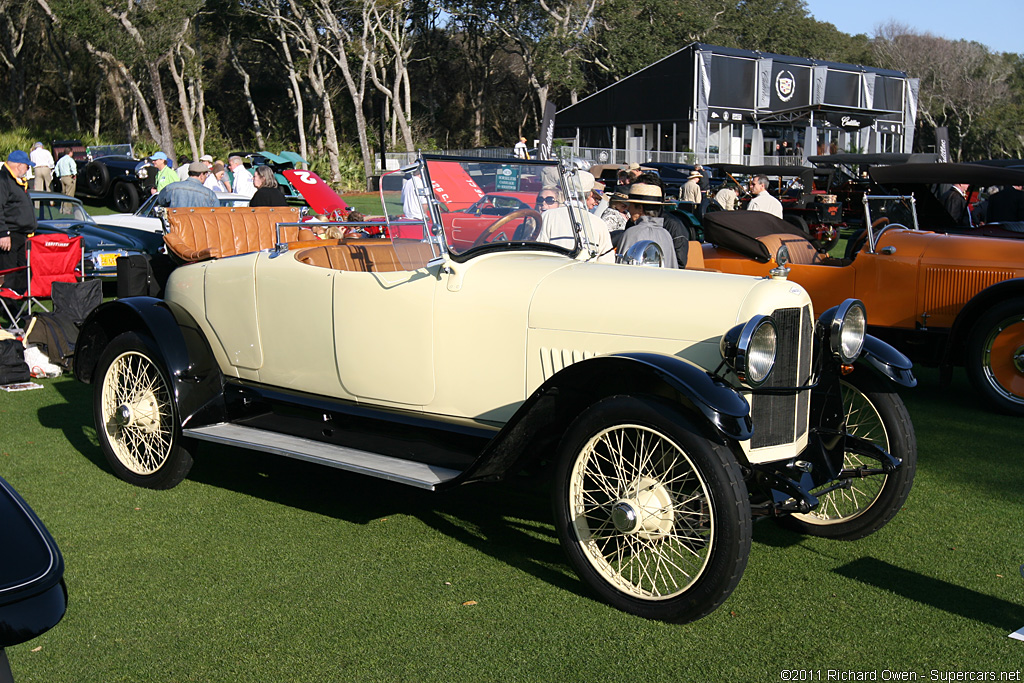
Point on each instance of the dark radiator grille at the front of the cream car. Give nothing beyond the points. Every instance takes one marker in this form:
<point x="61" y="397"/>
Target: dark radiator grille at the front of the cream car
<point x="783" y="419"/>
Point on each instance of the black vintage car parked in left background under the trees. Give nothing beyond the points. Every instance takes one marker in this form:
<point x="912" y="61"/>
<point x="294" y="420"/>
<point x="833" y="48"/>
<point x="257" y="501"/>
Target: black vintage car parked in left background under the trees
<point x="111" y="174"/>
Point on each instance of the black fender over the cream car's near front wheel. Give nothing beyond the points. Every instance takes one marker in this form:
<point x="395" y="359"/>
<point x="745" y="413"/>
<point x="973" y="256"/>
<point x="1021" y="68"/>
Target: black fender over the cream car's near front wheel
<point x="535" y="431"/>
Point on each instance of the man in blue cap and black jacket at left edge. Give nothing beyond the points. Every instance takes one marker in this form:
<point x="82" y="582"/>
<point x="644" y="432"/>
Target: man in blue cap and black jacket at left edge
<point x="18" y="221"/>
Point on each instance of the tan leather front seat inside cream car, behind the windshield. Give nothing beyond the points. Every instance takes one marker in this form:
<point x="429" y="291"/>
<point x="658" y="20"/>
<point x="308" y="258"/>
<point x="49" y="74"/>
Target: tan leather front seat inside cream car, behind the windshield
<point x="368" y="257"/>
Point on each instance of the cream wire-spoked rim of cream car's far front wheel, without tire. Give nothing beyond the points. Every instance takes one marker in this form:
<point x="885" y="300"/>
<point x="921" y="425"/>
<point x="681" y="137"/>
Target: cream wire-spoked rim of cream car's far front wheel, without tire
<point x="852" y="500"/>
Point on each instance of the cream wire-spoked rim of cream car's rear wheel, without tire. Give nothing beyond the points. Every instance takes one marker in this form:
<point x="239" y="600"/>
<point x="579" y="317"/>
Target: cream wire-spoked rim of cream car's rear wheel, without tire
<point x="137" y="414"/>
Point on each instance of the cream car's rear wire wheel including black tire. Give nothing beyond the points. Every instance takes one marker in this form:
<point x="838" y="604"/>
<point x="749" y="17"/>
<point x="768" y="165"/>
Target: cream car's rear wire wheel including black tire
<point x="137" y="420"/>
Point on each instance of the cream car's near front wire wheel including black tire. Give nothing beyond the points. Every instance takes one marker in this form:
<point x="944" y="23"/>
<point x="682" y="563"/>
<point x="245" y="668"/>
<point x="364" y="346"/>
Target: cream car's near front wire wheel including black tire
<point x="653" y="517"/>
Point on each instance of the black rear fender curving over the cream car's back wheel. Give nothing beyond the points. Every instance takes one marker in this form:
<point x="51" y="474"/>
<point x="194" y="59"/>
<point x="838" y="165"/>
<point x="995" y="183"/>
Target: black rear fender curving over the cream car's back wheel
<point x="177" y="343"/>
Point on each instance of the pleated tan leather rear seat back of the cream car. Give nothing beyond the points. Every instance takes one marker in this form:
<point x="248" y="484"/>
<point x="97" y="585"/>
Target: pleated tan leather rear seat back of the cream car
<point x="199" y="234"/>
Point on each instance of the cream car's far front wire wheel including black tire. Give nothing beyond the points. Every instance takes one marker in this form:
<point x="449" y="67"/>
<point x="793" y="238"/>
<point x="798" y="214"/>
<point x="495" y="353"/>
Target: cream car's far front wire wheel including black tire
<point x="860" y="507"/>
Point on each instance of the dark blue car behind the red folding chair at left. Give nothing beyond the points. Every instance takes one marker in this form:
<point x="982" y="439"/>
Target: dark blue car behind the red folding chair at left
<point x="60" y="214"/>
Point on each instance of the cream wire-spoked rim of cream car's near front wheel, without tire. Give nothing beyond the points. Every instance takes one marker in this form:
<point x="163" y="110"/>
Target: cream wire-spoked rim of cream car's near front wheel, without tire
<point x="642" y="513"/>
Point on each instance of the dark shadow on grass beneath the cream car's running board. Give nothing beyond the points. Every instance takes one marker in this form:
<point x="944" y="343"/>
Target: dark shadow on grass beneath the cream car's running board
<point x="508" y="522"/>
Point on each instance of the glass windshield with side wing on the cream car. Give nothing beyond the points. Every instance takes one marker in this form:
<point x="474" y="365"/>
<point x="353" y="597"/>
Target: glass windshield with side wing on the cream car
<point x="484" y="204"/>
